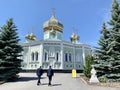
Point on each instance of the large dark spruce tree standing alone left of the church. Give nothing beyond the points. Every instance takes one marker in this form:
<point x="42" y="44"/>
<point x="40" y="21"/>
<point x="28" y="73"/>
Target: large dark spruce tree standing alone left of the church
<point x="10" y="63"/>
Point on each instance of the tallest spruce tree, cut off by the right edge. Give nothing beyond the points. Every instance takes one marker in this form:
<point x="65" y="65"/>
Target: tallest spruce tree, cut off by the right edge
<point x="114" y="45"/>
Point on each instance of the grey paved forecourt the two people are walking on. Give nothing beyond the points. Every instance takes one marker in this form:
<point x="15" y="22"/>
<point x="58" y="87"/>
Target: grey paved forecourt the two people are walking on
<point x="60" y="82"/>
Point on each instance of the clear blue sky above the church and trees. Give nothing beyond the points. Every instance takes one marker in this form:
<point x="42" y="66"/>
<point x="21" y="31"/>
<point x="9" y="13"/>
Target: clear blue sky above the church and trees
<point x="86" y="16"/>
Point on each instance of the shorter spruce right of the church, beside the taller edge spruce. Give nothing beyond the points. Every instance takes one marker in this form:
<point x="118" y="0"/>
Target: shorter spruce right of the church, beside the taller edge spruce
<point x="102" y="65"/>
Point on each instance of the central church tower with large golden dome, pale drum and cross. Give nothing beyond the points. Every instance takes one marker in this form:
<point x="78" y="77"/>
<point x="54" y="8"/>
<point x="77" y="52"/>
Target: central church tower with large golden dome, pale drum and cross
<point x="53" y="29"/>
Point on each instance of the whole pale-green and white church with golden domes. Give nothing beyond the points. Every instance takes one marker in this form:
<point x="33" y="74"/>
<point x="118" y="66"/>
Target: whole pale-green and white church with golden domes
<point x="61" y="55"/>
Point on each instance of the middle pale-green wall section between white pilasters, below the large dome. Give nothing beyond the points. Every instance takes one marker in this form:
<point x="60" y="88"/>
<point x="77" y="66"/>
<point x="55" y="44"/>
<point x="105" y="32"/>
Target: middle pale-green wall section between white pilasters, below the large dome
<point x="51" y="51"/>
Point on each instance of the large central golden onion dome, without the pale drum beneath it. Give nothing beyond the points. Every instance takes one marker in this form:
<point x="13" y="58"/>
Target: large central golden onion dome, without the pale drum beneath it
<point x="53" y="23"/>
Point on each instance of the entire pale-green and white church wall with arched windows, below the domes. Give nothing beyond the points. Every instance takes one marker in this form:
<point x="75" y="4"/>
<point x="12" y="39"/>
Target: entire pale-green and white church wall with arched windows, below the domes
<point x="61" y="55"/>
